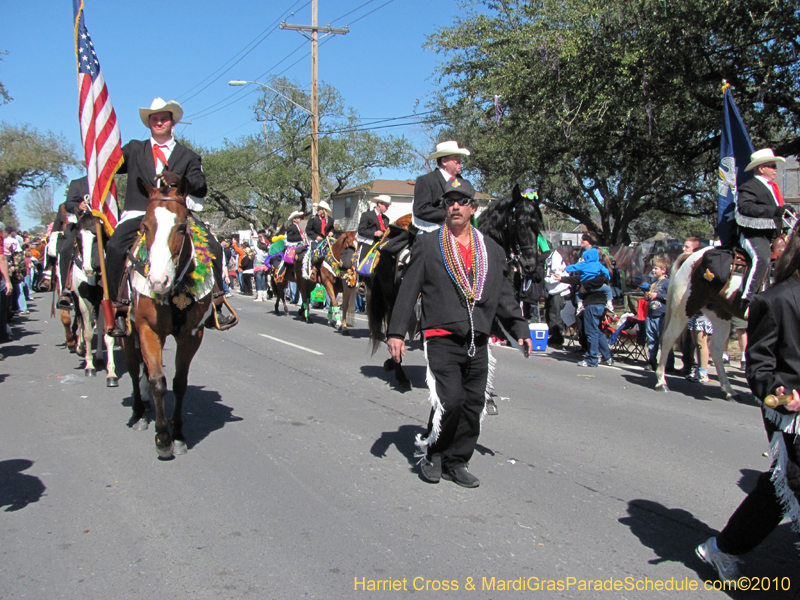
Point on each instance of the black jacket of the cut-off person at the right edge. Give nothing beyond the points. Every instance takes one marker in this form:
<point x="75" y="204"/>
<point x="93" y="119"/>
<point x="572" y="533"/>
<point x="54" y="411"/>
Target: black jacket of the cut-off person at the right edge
<point x="773" y="336"/>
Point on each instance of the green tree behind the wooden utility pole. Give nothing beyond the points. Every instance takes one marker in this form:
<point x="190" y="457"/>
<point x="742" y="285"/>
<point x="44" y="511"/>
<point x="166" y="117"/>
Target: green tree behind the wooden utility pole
<point x="261" y="178"/>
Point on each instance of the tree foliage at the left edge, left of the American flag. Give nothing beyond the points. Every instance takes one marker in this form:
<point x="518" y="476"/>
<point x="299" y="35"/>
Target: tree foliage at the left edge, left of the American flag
<point x="29" y="159"/>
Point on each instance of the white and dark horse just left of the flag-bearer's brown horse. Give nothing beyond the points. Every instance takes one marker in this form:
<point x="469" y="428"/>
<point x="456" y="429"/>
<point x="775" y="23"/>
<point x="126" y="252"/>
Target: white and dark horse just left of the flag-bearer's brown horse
<point x="87" y="294"/>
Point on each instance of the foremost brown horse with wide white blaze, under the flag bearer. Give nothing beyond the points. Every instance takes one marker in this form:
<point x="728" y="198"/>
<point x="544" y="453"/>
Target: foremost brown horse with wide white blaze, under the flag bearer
<point x="172" y="295"/>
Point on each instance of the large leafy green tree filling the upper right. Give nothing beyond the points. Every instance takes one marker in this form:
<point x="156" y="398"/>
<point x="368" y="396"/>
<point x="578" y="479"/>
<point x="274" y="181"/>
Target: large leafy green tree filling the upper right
<point x="612" y="109"/>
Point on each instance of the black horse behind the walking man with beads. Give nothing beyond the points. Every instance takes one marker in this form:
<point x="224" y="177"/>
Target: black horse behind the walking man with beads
<point x="514" y="222"/>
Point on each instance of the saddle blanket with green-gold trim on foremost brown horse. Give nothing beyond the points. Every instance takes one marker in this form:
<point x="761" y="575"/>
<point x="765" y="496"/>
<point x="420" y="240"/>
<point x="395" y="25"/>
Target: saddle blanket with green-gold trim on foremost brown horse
<point x="197" y="278"/>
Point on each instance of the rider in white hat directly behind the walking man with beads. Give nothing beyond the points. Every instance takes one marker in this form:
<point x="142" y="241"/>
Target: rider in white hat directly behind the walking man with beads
<point x="428" y="212"/>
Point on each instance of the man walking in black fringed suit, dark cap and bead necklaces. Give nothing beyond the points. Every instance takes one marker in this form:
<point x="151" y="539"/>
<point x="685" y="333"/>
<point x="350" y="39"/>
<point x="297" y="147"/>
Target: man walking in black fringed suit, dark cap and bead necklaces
<point x="461" y="276"/>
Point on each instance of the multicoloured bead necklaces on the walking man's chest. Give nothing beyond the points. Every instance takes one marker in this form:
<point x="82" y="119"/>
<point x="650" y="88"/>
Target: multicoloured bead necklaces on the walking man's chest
<point x="470" y="284"/>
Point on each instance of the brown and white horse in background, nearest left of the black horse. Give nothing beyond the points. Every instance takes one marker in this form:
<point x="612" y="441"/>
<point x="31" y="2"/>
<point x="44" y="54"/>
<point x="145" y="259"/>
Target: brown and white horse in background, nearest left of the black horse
<point x="331" y="274"/>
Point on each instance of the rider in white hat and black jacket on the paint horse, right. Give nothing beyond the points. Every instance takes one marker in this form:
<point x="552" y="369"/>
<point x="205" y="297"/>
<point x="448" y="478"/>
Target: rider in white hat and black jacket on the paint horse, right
<point x="759" y="211"/>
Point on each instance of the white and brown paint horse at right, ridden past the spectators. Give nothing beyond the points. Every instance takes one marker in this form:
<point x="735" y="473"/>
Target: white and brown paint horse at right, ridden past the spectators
<point x="692" y="290"/>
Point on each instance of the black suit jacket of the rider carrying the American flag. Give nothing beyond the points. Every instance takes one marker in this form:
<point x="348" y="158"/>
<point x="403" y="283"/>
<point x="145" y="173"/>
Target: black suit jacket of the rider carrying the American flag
<point x="138" y="155"/>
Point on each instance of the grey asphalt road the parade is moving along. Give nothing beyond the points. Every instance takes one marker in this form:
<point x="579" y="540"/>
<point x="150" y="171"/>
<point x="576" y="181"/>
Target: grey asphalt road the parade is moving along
<point x="300" y="480"/>
